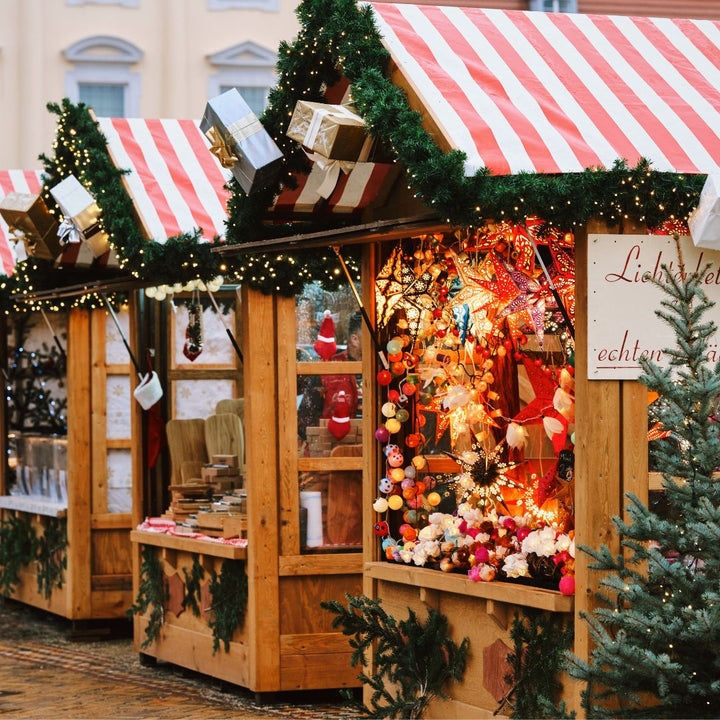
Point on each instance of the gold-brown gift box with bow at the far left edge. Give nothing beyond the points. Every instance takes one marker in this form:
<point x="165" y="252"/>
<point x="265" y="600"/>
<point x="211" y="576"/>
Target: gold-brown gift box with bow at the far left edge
<point x="31" y="225"/>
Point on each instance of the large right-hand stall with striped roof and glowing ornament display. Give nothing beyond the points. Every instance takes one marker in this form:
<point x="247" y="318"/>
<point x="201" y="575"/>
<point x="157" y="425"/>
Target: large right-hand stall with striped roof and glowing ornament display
<point x="516" y="93"/>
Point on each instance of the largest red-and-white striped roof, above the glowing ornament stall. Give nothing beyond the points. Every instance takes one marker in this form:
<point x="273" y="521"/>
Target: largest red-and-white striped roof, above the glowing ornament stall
<point x="560" y="92"/>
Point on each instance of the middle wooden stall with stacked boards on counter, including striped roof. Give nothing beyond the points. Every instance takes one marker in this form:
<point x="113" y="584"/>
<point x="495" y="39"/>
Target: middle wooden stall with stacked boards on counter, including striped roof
<point x="244" y="609"/>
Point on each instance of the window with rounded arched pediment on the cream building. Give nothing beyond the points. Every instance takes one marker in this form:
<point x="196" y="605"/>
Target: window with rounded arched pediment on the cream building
<point x="101" y="76"/>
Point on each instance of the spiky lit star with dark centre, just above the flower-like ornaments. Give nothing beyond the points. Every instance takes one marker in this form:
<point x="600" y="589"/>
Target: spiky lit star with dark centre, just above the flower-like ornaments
<point x="483" y="477"/>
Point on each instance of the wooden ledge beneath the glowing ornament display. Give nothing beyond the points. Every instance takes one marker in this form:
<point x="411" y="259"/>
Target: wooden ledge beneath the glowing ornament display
<point x="496" y="591"/>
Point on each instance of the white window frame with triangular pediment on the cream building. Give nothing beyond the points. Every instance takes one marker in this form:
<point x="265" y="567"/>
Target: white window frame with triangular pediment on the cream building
<point x="245" y="65"/>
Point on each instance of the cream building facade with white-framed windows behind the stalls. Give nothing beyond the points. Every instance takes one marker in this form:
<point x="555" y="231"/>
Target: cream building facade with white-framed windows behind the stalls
<point x="131" y="58"/>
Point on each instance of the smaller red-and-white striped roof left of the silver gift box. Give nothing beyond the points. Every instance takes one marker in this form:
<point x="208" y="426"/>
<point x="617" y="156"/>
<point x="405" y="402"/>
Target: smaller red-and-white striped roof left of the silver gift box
<point x="176" y="184"/>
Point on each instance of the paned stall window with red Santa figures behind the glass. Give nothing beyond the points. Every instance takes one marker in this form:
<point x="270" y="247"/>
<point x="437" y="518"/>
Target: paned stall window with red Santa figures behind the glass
<point x="329" y="408"/>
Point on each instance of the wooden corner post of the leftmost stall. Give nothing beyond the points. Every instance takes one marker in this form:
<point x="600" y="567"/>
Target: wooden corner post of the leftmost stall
<point x="79" y="465"/>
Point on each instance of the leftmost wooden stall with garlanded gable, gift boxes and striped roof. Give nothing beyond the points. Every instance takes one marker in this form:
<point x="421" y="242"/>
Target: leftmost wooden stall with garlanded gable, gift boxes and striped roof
<point x="102" y="468"/>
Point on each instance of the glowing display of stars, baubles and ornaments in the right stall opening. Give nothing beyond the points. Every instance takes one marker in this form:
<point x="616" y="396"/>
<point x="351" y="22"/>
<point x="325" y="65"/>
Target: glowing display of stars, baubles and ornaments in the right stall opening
<point x="477" y="404"/>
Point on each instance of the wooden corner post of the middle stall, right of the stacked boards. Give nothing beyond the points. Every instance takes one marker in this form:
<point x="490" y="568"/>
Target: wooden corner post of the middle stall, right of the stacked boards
<point x="261" y="421"/>
